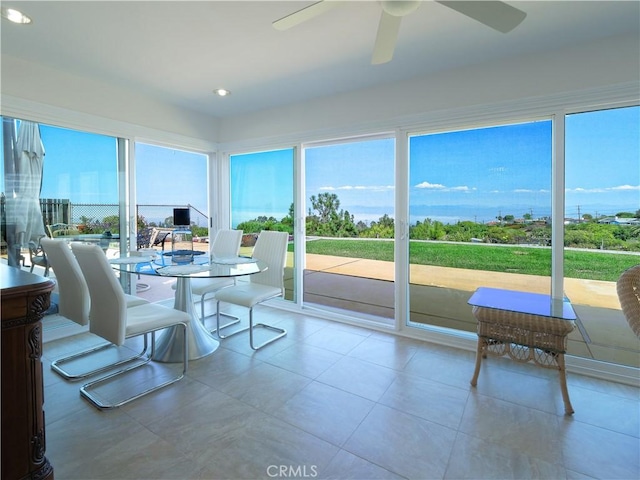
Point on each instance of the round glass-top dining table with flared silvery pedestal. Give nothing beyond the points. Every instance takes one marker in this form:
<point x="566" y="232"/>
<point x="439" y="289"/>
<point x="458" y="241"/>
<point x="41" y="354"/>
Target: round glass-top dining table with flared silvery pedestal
<point x="201" y="342"/>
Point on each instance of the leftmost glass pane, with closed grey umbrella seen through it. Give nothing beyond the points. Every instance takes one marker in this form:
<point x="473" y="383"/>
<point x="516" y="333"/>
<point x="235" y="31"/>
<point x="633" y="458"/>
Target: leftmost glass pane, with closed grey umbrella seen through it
<point x="63" y="185"/>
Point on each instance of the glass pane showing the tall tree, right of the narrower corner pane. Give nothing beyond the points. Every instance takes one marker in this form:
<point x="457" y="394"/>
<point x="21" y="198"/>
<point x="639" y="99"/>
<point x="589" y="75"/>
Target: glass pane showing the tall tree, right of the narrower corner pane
<point x="350" y="228"/>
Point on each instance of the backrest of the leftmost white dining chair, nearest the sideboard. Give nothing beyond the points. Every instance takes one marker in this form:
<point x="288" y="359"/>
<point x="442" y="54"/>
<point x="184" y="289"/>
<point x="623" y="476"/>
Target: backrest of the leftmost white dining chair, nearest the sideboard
<point x="74" y="302"/>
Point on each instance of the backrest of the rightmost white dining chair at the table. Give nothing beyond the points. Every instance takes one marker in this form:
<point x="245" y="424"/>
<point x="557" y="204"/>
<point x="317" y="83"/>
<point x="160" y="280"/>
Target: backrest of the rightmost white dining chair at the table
<point x="271" y="247"/>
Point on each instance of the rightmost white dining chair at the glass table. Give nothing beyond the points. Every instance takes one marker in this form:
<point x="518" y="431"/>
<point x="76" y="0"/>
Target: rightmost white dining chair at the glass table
<point x="271" y="248"/>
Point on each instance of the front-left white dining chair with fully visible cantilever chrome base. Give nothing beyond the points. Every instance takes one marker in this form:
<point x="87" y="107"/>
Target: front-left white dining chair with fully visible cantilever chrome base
<point x="115" y="322"/>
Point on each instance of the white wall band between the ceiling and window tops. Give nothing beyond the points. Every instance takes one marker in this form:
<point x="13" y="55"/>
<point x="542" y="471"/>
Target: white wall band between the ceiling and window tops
<point x="523" y="80"/>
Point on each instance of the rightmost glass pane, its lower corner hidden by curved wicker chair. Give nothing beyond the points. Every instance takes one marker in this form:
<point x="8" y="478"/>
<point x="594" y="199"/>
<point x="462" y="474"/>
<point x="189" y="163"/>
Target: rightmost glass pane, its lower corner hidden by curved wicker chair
<point x="602" y="228"/>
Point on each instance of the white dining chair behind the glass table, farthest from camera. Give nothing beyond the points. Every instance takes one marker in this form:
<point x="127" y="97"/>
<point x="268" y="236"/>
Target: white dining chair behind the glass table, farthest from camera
<point x="226" y="244"/>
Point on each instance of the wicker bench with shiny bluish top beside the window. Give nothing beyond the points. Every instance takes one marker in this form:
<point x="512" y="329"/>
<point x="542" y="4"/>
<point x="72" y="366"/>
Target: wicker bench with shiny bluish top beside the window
<point x="526" y="327"/>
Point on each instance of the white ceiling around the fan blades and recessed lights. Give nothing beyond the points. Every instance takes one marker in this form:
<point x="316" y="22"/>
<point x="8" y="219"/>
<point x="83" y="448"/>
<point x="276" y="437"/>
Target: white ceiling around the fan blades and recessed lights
<point x="179" y="51"/>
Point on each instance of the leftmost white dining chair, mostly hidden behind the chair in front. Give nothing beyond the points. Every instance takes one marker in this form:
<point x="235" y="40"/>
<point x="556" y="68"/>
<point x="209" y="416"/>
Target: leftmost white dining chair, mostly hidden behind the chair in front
<point x="74" y="304"/>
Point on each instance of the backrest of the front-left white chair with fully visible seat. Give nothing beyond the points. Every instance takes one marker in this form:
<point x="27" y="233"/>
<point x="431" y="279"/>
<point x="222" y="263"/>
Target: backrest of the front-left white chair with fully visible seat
<point x="108" y="302"/>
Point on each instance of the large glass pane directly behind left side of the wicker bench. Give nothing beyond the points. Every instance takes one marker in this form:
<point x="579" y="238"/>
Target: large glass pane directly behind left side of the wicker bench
<point x="479" y="207"/>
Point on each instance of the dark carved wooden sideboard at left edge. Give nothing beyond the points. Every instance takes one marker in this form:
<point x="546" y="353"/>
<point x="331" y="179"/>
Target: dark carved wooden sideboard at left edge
<point x="24" y="299"/>
